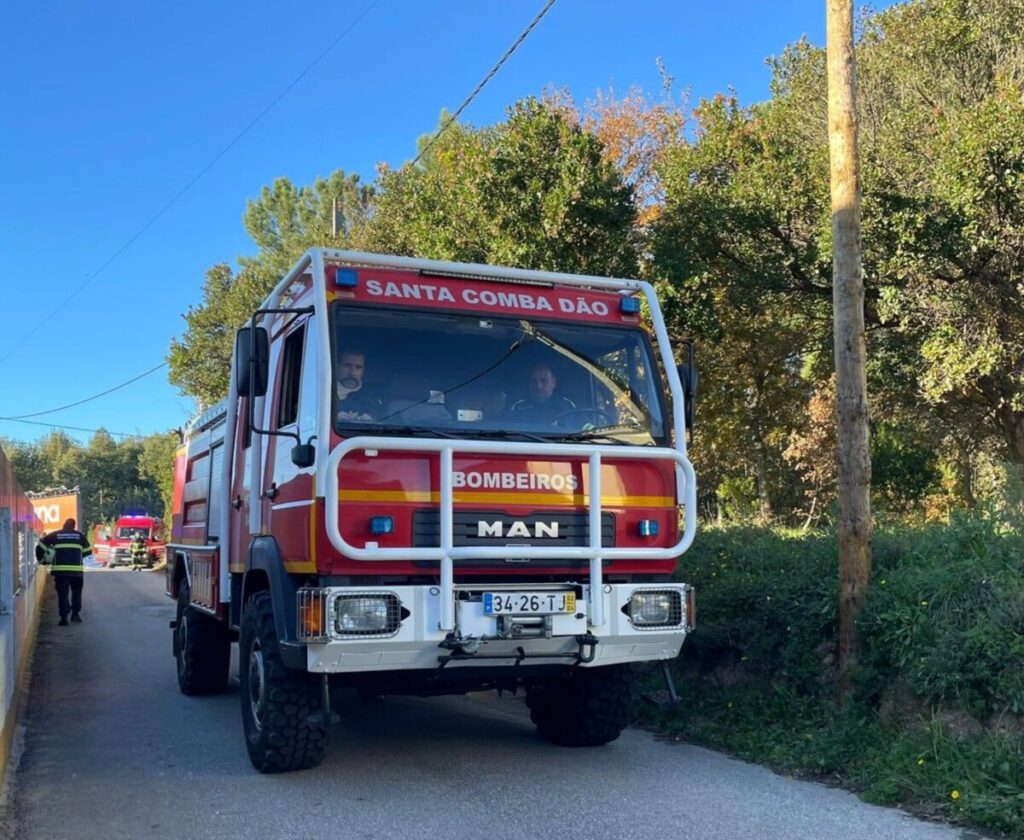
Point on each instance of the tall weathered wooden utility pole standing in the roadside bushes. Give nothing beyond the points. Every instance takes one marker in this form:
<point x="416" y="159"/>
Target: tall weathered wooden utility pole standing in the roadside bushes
<point x="848" y="314"/>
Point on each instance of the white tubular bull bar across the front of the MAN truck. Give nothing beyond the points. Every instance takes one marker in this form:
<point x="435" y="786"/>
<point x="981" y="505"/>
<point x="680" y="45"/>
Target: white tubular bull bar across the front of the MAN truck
<point x="447" y="553"/>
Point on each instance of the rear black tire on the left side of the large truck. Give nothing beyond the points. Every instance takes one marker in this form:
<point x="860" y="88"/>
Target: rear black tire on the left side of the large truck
<point x="202" y="648"/>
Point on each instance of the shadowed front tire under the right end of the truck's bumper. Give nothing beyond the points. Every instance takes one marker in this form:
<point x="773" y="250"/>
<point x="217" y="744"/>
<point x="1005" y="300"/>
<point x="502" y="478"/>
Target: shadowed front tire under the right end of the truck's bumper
<point x="589" y="709"/>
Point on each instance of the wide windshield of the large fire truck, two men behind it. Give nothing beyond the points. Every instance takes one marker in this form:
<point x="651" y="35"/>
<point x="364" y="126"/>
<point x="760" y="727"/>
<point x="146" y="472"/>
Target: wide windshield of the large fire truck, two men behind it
<point x="463" y="374"/>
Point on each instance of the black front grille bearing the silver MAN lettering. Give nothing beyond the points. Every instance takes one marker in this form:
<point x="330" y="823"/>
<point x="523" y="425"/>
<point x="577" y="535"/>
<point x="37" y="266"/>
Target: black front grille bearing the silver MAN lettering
<point x="496" y="528"/>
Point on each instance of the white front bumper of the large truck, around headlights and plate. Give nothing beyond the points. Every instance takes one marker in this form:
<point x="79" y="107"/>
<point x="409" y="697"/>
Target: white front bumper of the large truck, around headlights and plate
<point x="418" y="643"/>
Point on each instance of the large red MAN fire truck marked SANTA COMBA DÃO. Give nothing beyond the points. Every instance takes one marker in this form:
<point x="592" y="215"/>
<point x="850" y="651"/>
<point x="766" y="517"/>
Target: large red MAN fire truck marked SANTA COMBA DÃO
<point x="434" y="478"/>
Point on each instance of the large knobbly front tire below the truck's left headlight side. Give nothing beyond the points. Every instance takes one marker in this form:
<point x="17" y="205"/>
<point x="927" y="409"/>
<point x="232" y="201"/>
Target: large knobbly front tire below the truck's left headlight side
<point x="279" y="705"/>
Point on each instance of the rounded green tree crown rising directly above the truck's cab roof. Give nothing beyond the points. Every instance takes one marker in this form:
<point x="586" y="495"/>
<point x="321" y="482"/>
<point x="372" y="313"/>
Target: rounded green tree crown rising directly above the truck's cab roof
<point x="535" y="191"/>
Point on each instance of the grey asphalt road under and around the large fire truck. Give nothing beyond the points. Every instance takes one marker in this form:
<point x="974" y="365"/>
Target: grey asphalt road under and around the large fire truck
<point x="113" y="750"/>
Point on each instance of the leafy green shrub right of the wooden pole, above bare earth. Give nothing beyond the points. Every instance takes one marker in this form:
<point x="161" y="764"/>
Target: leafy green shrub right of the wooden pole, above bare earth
<point x="947" y="613"/>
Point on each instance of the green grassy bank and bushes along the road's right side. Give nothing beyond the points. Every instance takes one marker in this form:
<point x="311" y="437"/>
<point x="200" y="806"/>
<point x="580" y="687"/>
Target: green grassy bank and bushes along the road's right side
<point x="935" y="722"/>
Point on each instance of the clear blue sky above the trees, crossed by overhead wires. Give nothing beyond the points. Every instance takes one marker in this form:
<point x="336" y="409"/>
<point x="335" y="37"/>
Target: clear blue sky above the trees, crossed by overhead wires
<point x="110" y="108"/>
